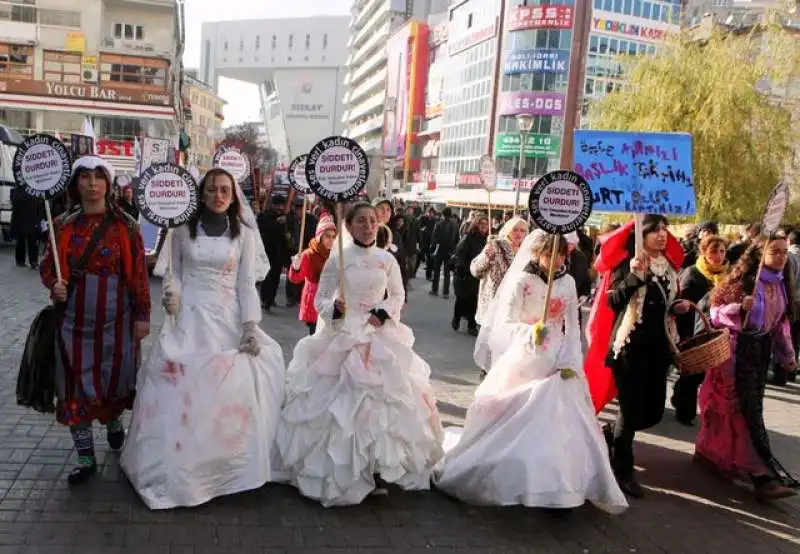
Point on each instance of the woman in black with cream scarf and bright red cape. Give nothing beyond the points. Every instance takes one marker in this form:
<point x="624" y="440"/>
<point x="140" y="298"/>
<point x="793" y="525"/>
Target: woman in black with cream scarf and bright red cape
<point x="629" y="354"/>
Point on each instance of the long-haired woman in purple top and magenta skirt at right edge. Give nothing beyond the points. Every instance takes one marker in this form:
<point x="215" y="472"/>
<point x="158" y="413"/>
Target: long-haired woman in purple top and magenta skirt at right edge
<point x="753" y="303"/>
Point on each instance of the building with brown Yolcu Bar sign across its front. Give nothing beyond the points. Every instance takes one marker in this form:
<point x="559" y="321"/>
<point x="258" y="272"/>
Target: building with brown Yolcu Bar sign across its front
<point x="111" y="60"/>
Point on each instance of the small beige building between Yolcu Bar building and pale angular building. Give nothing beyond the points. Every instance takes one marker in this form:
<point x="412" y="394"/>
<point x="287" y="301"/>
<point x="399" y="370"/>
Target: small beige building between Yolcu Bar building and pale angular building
<point x="204" y="124"/>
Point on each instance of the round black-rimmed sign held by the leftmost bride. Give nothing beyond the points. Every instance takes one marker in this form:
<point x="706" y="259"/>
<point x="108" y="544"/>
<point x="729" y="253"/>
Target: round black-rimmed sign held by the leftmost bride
<point x="166" y="195"/>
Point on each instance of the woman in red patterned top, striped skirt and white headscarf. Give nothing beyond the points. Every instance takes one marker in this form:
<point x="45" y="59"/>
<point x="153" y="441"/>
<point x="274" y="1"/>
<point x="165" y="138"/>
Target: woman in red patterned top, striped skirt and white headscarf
<point x="106" y="312"/>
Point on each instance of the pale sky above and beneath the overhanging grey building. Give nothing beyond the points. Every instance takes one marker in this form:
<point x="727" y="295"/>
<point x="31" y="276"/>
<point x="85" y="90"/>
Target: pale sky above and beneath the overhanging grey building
<point x="243" y="102"/>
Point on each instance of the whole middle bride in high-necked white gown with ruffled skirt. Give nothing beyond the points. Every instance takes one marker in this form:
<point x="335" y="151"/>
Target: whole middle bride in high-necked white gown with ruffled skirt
<point x="359" y="407"/>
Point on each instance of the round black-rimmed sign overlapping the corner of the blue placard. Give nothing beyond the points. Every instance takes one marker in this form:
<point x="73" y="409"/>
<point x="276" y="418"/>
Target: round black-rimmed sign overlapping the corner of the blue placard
<point x="560" y="202"/>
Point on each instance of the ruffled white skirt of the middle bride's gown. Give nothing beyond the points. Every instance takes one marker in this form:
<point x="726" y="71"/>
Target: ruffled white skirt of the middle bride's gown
<point x="358" y="404"/>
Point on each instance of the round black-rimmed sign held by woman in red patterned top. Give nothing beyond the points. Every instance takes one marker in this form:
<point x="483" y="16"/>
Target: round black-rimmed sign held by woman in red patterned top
<point x="42" y="166"/>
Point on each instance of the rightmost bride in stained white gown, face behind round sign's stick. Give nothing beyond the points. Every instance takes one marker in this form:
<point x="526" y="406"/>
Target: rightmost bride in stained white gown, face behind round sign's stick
<point x="530" y="435"/>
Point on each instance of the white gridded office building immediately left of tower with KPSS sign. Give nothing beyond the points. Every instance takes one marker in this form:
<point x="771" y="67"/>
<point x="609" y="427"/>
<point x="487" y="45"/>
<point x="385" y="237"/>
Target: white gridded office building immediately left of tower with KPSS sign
<point x="473" y="32"/>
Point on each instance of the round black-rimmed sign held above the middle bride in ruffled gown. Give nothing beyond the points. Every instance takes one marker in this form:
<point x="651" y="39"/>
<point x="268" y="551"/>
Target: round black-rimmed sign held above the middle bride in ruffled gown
<point x="337" y="168"/>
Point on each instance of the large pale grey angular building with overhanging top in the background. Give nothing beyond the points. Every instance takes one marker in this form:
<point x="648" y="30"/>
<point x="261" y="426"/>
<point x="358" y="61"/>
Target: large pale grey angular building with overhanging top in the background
<point x="298" y="64"/>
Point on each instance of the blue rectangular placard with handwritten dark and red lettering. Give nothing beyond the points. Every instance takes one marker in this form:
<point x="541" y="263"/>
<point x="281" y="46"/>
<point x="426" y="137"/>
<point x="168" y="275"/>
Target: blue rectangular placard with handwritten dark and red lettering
<point x="637" y="172"/>
